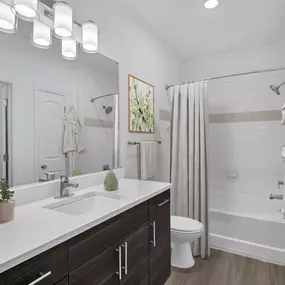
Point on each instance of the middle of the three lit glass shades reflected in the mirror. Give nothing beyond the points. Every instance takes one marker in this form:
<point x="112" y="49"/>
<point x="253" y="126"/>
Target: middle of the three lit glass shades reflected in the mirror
<point x="41" y="36"/>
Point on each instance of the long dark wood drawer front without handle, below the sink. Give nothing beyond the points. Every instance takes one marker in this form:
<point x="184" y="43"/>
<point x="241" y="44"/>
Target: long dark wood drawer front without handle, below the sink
<point x="89" y="244"/>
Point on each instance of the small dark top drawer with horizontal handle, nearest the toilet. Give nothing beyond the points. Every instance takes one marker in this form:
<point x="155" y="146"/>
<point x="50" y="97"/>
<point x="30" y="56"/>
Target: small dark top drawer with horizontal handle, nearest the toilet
<point x="159" y="205"/>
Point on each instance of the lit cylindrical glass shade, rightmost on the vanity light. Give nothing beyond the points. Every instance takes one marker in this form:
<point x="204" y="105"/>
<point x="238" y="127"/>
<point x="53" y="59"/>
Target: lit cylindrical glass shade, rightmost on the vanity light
<point x="89" y="37"/>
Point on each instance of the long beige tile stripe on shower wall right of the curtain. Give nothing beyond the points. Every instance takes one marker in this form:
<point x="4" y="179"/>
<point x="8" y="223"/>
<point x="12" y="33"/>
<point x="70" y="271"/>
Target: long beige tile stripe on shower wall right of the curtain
<point x="245" y="117"/>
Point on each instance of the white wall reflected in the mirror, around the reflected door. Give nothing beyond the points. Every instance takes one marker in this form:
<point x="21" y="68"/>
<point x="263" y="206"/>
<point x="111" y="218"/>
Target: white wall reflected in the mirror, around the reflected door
<point x="29" y="68"/>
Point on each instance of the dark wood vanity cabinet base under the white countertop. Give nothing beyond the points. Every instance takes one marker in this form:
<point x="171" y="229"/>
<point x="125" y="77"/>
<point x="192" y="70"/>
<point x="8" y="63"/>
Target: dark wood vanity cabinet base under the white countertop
<point x="132" y="248"/>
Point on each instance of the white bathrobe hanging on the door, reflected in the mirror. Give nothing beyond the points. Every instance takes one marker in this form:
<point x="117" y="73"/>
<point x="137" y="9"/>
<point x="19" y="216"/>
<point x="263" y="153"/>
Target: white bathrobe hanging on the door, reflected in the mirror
<point x="72" y="140"/>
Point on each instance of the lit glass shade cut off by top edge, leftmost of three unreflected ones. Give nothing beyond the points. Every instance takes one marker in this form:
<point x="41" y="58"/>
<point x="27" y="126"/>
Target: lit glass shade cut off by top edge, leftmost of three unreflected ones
<point x="26" y="9"/>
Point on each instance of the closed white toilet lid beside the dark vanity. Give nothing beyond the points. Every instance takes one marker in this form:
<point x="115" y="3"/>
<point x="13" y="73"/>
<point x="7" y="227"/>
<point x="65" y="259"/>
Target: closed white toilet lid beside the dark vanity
<point x="185" y="224"/>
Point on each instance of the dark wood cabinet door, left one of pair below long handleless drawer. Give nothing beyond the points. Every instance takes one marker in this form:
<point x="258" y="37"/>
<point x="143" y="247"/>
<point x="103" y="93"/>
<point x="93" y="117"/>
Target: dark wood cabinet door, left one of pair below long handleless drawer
<point x="101" y="270"/>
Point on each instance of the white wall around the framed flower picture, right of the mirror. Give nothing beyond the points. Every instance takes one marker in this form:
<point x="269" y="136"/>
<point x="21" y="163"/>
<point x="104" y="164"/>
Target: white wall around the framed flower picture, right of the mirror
<point x="139" y="53"/>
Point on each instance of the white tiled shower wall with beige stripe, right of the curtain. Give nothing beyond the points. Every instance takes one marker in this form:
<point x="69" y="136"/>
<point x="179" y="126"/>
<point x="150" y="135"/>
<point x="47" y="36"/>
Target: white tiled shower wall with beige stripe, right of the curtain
<point x="246" y="137"/>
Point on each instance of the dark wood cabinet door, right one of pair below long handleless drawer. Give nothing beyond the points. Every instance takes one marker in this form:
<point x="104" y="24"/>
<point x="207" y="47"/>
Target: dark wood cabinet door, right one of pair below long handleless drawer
<point x="135" y="262"/>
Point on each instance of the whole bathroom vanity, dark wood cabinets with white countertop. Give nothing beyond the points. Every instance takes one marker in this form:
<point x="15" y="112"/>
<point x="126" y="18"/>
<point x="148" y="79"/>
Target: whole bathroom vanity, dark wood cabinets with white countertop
<point x="131" y="248"/>
